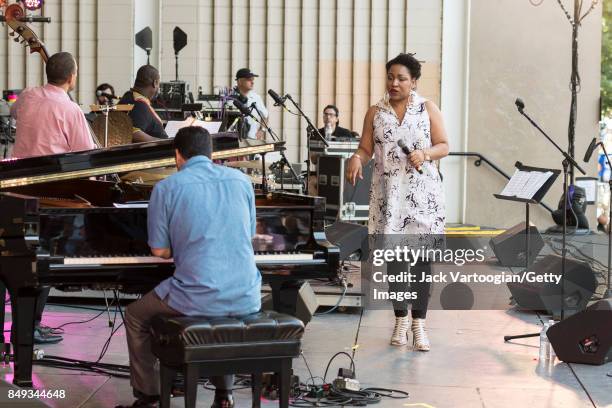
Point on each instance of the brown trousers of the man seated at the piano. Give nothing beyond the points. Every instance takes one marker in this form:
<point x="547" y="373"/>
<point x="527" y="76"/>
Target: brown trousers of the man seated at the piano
<point x="144" y="368"/>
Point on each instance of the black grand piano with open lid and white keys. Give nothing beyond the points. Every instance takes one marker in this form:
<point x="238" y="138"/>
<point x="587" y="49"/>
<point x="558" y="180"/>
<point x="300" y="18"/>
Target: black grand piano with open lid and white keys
<point x="62" y="227"/>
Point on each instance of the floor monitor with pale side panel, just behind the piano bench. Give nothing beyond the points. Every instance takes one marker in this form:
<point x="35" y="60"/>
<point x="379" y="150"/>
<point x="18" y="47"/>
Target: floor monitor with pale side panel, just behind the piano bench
<point x="295" y="298"/>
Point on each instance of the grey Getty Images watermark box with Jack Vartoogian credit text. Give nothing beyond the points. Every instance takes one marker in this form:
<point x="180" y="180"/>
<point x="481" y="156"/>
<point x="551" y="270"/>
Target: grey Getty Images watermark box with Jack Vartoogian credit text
<point x="458" y="273"/>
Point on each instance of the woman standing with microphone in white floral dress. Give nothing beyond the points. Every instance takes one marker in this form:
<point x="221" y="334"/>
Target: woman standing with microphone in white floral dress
<point x="406" y="195"/>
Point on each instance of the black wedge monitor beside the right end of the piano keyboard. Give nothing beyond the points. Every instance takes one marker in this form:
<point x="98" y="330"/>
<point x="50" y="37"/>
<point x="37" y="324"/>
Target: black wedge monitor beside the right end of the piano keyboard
<point x="350" y="238"/>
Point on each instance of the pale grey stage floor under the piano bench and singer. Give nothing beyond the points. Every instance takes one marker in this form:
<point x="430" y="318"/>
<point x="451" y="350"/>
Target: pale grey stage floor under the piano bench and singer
<point x="469" y="364"/>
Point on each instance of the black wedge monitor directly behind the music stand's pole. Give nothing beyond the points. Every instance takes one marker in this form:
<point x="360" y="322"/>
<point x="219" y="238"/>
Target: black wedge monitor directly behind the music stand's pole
<point x="509" y="247"/>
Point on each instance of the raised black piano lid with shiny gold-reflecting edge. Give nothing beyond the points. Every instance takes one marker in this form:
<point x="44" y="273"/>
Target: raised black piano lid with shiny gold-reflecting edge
<point x="116" y="159"/>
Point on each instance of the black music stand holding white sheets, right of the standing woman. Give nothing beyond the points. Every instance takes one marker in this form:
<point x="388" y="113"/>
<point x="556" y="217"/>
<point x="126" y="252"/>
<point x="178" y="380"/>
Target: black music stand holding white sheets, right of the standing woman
<point x="536" y="182"/>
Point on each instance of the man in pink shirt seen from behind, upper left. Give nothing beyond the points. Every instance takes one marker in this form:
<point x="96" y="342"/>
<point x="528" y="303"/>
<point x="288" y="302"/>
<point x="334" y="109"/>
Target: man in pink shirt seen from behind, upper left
<point x="48" y="122"/>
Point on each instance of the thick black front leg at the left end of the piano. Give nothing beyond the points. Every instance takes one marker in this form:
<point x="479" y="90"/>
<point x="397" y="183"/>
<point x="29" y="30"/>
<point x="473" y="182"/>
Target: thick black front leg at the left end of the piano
<point x="22" y="334"/>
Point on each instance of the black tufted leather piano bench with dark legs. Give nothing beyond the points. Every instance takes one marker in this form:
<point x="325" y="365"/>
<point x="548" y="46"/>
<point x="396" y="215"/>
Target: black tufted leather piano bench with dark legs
<point x="198" y="346"/>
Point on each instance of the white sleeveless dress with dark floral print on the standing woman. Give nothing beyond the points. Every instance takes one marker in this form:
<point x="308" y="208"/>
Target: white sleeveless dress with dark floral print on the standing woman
<point x="402" y="201"/>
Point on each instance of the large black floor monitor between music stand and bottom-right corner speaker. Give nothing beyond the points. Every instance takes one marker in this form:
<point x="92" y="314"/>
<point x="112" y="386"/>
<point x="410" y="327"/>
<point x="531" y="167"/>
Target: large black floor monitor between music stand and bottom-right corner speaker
<point x="580" y="284"/>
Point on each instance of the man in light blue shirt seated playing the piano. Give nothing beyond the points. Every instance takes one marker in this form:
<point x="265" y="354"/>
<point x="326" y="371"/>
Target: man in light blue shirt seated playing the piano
<point x="204" y="217"/>
